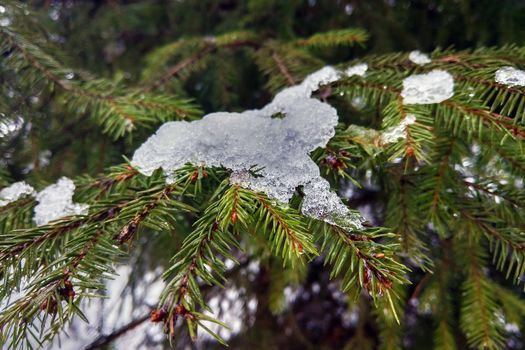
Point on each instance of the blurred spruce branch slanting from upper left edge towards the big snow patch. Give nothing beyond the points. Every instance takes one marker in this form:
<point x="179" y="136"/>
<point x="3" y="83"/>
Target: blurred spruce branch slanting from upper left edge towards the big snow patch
<point x="119" y="110"/>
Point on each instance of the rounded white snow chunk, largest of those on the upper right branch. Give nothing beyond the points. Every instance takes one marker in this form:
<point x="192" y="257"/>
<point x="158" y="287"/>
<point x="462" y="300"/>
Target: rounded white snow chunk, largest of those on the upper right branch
<point x="433" y="87"/>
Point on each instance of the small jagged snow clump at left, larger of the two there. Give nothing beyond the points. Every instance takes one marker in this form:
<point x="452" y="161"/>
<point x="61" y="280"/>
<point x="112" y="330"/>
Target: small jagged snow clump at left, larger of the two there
<point x="56" y="201"/>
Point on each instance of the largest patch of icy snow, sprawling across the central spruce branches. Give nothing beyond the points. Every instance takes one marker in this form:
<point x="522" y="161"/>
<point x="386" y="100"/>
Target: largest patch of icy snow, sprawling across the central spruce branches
<point x="277" y="147"/>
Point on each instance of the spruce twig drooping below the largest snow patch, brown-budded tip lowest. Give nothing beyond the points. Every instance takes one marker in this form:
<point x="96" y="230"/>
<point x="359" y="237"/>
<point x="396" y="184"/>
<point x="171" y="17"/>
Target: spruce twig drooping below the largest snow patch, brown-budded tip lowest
<point x="197" y="259"/>
